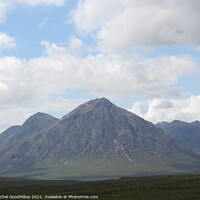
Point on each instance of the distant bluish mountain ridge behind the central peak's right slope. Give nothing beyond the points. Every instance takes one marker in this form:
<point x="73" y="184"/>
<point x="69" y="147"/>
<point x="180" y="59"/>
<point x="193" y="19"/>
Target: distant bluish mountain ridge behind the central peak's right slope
<point x="188" y="133"/>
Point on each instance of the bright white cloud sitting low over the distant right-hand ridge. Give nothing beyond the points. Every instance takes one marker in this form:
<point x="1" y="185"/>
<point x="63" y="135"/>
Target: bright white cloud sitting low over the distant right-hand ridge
<point x="158" y="110"/>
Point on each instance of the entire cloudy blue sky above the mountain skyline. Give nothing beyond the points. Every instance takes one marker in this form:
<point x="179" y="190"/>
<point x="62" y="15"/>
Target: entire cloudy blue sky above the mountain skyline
<point x="142" y="55"/>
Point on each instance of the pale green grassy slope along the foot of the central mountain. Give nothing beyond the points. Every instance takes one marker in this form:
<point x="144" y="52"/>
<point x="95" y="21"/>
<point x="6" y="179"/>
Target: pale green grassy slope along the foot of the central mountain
<point x="82" y="169"/>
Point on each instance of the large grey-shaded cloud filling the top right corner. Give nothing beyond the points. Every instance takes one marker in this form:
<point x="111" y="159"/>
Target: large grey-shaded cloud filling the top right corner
<point x="117" y="24"/>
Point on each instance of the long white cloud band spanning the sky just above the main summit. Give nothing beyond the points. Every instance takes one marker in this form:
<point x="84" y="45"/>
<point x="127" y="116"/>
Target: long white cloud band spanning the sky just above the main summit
<point x="112" y="76"/>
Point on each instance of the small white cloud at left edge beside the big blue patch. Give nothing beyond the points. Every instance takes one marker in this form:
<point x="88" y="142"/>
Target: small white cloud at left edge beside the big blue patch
<point x="6" y="41"/>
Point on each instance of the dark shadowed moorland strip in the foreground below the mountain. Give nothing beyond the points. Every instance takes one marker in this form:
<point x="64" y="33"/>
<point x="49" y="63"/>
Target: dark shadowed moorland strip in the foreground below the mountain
<point x="179" y="187"/>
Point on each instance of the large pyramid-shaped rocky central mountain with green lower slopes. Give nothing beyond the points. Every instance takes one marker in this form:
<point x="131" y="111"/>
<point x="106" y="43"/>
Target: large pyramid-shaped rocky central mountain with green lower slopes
<point x="97" y="139"/>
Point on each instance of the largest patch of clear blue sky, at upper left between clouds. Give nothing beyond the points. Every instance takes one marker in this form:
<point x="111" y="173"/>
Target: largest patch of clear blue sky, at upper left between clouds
<point x="31" y="25"/>
